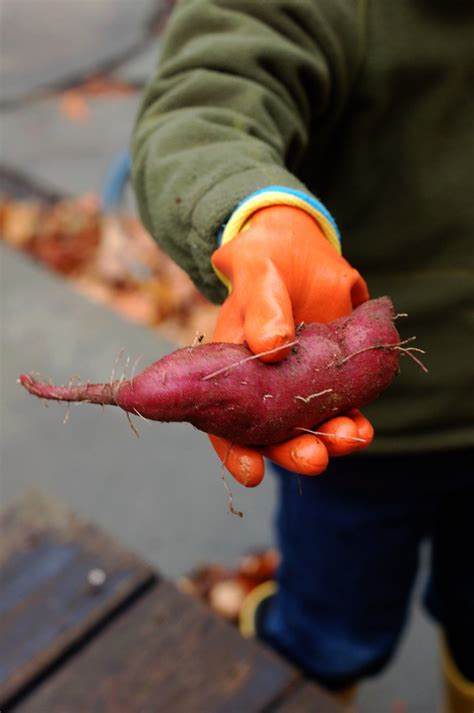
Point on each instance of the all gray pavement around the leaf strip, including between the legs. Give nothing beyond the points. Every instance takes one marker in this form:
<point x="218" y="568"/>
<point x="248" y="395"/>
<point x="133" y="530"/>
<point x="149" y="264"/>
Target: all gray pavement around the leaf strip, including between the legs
<point x="161" y="494"/>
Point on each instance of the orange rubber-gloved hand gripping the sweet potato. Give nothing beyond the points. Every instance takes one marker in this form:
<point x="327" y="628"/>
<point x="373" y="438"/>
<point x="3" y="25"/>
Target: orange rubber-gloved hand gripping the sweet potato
<point x="283" y="271"/>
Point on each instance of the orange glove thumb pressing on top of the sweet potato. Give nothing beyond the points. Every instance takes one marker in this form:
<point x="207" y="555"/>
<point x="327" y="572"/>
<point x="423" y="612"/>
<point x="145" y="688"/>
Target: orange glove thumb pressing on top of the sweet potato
<point x="269" y="322"/>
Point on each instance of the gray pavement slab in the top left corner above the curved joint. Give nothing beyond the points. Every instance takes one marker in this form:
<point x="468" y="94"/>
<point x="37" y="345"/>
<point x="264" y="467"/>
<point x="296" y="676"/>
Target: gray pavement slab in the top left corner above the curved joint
<point x="45" y="42"/>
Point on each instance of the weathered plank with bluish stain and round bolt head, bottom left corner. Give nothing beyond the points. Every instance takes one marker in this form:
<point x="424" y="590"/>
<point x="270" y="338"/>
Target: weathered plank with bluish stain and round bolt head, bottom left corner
<point x="47" y="560"/>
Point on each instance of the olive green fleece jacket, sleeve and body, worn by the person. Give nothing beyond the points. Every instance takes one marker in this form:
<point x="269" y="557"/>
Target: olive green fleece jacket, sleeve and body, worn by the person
<point x="366" y="104"/>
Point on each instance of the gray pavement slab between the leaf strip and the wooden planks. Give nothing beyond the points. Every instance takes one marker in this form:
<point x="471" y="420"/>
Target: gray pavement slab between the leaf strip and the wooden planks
<point x="161" y="494"/>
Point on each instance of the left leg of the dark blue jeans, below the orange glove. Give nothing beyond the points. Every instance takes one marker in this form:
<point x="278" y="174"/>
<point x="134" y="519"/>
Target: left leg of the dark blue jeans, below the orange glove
<point x="349" y="559"/>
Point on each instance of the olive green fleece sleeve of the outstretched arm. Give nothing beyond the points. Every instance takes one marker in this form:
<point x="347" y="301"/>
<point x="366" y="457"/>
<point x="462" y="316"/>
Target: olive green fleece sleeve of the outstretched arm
<point x="241" y="89"/>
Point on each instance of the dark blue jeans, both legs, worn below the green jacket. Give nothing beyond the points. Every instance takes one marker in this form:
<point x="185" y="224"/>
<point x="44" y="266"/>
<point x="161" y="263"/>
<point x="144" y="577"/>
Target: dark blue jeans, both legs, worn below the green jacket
<point x="350" y="541"/>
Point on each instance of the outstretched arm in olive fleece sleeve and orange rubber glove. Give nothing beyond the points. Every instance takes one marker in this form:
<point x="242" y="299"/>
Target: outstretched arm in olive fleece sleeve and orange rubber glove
<point x="244" y="87"/>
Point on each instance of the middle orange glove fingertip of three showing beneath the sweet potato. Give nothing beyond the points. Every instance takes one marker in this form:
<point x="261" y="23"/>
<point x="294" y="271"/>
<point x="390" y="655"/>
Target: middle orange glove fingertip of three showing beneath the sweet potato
<point x="305" y="454"/>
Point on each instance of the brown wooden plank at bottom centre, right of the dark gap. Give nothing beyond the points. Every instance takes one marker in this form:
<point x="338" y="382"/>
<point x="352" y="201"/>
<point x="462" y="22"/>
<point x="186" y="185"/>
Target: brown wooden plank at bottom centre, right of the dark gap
<point x="166" y="654"/>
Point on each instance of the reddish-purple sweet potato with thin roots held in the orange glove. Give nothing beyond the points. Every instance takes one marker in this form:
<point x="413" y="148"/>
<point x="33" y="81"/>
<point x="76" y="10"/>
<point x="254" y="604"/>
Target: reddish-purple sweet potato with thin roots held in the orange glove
<point x="225" y="390"/>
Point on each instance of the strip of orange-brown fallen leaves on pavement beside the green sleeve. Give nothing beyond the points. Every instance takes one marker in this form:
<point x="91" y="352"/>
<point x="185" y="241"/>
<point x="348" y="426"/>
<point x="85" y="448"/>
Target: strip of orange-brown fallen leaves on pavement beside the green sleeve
<point x="112" y="260"/>
